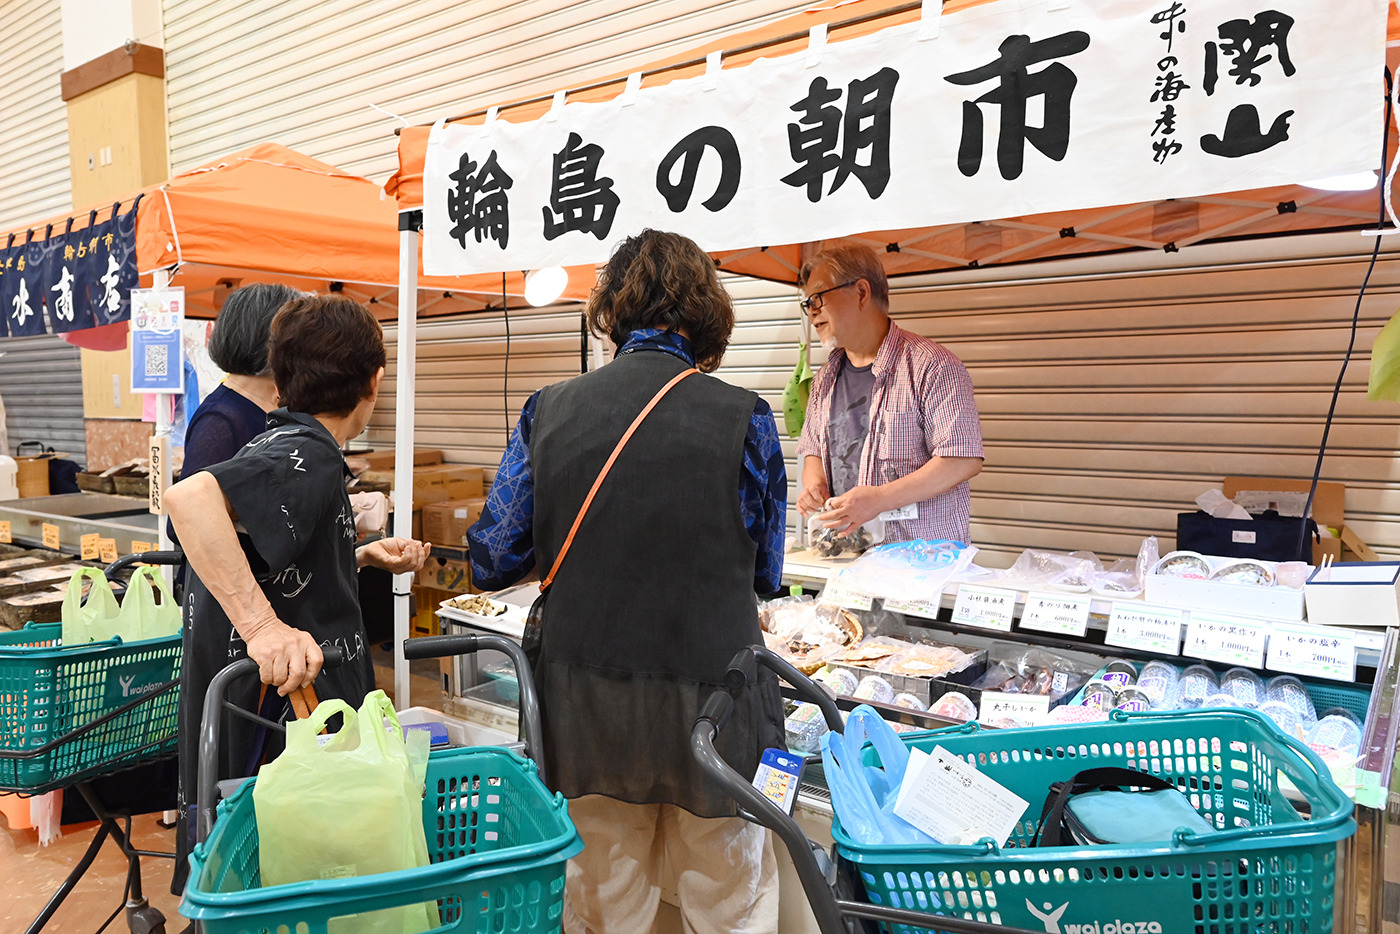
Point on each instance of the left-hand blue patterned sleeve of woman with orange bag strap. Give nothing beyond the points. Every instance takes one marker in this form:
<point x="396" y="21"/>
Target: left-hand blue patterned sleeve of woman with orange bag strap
<point x="503" y="541"/>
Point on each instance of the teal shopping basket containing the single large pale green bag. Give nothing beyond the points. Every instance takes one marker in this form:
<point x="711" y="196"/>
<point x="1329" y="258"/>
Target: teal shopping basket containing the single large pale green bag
<point x="498" y="844"/>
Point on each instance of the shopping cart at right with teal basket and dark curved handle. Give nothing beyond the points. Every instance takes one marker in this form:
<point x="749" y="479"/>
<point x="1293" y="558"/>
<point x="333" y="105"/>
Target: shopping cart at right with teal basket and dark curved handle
<point x="1270" y="867"/>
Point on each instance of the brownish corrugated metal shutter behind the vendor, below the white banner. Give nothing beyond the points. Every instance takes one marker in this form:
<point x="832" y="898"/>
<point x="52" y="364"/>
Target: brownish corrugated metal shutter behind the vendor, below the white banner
<point x="1112" y="391"/>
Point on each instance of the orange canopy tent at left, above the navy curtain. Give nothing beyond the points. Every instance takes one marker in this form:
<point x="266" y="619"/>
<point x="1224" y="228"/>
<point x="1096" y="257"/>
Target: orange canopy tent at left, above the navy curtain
<point x="268" y="214"/>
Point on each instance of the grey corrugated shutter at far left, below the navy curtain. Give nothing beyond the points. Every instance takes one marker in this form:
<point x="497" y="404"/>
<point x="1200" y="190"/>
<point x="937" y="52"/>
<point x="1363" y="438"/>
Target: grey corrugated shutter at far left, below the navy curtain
<point x="41" y="383"/>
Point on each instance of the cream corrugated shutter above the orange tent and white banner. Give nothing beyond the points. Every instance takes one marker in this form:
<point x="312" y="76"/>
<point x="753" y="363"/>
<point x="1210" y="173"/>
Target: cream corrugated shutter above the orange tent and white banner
<point x="306" y="72"/>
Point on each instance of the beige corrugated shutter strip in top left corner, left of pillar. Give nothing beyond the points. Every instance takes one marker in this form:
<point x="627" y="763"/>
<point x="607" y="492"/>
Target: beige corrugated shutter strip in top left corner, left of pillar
<point x="34" y="146"/>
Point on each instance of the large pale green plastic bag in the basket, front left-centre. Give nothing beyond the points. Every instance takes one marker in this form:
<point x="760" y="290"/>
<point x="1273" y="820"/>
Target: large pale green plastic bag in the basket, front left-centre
<point x="348" y="807"/>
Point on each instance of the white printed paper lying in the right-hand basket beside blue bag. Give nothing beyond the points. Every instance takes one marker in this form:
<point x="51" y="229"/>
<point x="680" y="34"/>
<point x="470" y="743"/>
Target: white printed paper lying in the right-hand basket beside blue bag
<point x="951" y="802"/>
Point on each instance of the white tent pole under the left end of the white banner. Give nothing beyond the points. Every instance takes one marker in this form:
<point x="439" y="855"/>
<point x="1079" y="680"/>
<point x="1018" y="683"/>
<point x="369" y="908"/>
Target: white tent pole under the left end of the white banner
<point x="404" y="400"/>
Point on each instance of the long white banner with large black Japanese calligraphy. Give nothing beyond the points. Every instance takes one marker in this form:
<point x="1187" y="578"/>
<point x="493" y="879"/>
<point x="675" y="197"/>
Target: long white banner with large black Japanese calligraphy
<point x="1010" y="110"/>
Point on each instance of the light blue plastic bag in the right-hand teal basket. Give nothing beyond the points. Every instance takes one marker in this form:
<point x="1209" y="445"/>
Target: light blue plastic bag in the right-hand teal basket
<point x="863" y="796"/>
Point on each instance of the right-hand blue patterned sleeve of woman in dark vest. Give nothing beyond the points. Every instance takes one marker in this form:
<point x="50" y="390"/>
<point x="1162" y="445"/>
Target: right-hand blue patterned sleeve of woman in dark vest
<point x="764" y="498"/>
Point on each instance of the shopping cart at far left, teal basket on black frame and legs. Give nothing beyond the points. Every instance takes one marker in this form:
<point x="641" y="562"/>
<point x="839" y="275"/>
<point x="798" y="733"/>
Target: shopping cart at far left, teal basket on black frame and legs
<point x="72" y="715"/>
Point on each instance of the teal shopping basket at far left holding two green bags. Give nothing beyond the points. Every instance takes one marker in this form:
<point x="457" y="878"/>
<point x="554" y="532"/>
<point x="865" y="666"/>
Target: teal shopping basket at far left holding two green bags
<point x="73" y="712"/>
